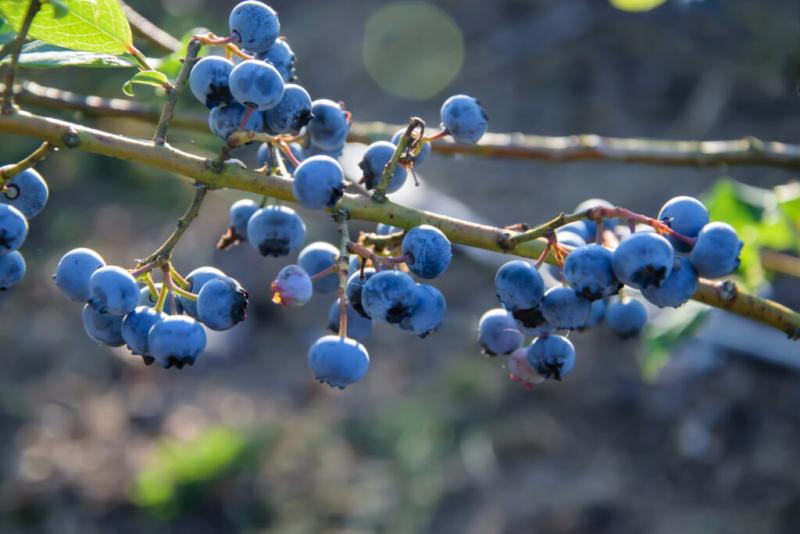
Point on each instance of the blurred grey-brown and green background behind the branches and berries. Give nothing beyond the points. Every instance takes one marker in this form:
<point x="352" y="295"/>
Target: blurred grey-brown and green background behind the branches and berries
<point x="435" y="439"/>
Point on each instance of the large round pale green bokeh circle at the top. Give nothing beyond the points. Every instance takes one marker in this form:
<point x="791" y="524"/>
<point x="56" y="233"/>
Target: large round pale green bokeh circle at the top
<point x="412" y="49"/>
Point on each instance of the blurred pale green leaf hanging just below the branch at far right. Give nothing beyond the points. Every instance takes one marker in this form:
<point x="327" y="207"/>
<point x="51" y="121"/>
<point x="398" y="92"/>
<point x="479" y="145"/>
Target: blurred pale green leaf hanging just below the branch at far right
<point x="666" y="332"/>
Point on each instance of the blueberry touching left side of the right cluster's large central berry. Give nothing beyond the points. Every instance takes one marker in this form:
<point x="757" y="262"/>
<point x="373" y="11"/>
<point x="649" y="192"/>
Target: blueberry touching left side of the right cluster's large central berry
<point x="588" y="271"/>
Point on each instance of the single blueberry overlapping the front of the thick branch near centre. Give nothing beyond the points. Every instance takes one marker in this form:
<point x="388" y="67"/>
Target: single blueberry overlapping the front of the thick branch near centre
<point x="318" y="182"/>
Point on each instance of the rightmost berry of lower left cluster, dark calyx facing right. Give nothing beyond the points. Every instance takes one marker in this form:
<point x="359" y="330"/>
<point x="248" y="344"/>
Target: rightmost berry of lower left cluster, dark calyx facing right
<point x="222" y="304"/>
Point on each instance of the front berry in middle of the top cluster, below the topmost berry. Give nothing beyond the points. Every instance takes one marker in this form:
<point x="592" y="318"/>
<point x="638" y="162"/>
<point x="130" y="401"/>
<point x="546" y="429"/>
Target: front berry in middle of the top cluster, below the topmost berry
<point x="256" y="84"/>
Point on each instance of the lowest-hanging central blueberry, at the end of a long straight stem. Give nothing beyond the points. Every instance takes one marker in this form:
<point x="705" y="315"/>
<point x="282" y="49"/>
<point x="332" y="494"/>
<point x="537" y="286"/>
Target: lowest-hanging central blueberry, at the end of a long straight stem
<point x="338" y="361"/>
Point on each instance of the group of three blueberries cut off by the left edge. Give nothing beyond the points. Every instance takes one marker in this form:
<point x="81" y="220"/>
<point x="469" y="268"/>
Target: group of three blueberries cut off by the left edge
<point x="23" y="197"/>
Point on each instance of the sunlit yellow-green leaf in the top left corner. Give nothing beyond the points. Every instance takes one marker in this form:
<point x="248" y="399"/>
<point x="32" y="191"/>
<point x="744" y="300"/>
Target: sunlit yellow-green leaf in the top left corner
<point x="89" y="25"/>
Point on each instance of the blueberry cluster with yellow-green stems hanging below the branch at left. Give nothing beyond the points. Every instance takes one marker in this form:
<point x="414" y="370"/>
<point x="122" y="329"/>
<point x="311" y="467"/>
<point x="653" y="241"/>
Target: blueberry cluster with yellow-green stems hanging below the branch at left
<point x="150" y="320"/>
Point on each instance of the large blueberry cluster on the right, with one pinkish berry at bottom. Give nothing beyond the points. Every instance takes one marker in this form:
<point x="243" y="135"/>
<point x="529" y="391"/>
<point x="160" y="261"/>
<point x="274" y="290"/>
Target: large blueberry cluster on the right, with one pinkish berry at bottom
<point x="661" y="259"/>
